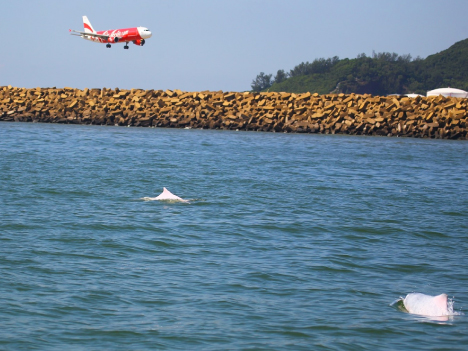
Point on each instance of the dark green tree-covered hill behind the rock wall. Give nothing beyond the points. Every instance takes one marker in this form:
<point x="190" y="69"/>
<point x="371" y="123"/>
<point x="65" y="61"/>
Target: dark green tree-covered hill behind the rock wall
<point x="381" y="74"/>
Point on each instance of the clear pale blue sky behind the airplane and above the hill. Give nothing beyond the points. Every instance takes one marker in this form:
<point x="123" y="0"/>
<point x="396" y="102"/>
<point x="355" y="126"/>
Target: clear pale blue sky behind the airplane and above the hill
<point x="208" y="44"/>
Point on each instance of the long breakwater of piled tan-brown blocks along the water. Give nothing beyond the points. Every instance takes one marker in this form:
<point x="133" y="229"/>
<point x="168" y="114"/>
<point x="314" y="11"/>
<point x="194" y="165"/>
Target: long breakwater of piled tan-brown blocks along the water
<point x="425" y="117"/>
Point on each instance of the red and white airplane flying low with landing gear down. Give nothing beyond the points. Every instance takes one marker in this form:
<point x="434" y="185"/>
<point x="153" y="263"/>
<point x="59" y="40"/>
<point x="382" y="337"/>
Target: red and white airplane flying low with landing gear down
<point x="136" y="35"/>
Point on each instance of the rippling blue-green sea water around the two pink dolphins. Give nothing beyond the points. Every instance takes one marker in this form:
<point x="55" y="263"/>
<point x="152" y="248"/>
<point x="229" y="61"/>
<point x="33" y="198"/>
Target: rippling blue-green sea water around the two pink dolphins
<point x="289" y="242"/>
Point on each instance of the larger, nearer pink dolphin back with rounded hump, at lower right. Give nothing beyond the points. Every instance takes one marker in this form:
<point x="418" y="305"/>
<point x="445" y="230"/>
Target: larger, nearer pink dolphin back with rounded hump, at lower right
<point x="427" y="305"/>
